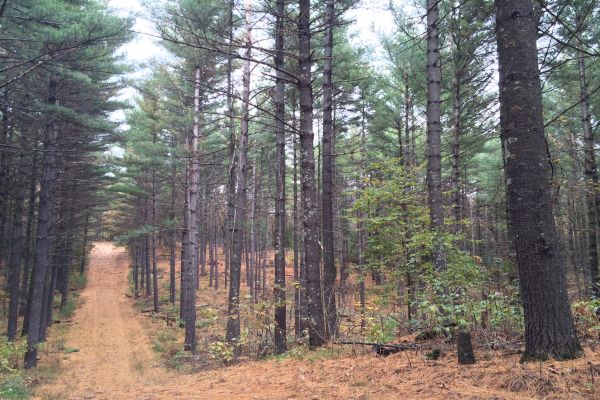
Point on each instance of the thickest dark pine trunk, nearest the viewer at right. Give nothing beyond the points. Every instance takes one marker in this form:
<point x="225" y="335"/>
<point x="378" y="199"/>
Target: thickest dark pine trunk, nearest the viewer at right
<point x="549" y="328"/>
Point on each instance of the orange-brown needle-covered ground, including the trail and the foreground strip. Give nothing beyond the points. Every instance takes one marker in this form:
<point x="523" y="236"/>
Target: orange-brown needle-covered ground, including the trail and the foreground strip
<point x="108" y="355"/>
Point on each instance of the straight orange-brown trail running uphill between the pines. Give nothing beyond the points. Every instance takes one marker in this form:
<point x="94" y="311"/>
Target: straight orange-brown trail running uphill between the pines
<point x="114" y="357"/>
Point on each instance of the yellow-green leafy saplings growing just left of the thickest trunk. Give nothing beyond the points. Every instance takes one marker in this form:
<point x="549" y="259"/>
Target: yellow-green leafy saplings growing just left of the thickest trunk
<point x="394" y="214"/>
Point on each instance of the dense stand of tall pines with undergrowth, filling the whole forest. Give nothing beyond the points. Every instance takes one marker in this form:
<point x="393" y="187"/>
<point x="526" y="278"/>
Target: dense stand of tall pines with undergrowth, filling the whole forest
<point x="444" y="183"/>
